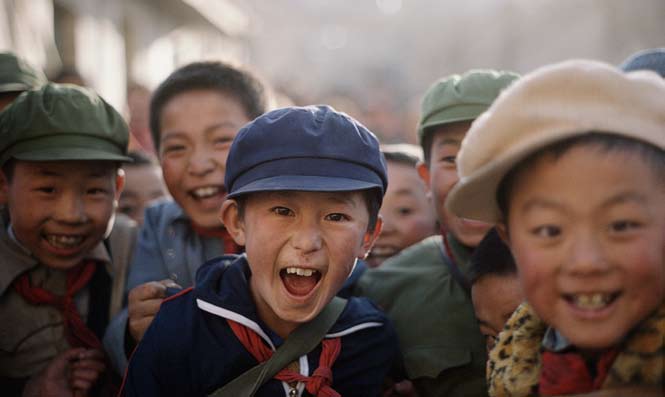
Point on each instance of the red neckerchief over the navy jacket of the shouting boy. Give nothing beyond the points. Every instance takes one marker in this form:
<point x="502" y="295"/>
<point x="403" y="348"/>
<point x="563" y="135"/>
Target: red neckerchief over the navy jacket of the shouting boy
<point x="319" y="384"/>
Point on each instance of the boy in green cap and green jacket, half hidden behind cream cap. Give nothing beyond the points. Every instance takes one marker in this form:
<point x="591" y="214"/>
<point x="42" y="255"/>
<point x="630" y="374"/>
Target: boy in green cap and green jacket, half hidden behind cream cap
<point x="424" y="289"/>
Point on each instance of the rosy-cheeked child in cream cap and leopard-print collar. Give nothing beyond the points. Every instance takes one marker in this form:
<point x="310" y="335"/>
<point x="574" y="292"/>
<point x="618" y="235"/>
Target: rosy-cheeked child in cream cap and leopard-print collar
<point x="576" y="182"/>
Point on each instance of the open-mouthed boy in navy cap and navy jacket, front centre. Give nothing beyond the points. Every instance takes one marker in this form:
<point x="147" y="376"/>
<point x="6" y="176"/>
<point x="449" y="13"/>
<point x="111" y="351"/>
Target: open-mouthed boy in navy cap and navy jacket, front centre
<point x="305" y="186"/>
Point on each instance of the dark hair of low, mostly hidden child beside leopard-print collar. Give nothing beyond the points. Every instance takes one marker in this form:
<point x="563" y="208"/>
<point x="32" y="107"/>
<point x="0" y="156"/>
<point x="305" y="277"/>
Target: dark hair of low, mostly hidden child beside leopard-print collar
<point x="491" y="257"/>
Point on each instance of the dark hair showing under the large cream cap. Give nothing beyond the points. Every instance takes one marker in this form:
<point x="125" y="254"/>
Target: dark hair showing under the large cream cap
<point x="606" y="142"/>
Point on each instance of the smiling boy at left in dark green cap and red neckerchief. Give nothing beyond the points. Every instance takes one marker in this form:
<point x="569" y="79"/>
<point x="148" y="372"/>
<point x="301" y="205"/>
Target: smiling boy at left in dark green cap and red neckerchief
<point x="60" y="154"/>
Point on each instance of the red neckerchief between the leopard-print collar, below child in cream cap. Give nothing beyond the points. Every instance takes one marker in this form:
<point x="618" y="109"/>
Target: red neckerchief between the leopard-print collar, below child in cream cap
<point x="567" y="373"/>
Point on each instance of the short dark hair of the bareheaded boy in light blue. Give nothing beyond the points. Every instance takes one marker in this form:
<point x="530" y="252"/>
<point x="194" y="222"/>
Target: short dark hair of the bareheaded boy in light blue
<point x="240" y="84"/>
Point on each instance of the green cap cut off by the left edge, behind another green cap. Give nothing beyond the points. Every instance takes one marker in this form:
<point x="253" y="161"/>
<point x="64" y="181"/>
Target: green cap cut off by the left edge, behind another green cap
<point x="18" y="75"/>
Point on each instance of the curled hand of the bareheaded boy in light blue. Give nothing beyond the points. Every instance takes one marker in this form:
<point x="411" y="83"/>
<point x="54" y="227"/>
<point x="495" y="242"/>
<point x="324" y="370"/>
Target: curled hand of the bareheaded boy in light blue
<point x="144" y="302"/>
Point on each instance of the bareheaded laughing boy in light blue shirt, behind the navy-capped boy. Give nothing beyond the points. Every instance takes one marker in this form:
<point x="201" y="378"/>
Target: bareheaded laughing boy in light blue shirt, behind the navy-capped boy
<point x="194" y="115"/>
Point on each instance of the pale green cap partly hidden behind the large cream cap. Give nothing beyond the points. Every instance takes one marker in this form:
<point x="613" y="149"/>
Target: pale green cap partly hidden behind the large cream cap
<point x="461" y="97"/>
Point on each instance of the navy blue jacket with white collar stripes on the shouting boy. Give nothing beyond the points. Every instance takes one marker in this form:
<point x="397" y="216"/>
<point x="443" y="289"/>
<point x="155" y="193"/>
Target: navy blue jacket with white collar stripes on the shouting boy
<point x="190" y="350"/>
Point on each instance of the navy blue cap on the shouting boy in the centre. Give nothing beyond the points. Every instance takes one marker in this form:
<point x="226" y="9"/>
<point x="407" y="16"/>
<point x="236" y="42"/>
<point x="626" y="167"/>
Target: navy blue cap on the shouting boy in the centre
<point x="313" y="148"/>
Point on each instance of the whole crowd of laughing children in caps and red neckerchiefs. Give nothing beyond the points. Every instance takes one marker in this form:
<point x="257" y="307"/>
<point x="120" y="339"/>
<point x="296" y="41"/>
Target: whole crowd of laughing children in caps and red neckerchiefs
<point x="518" y="251"/>
